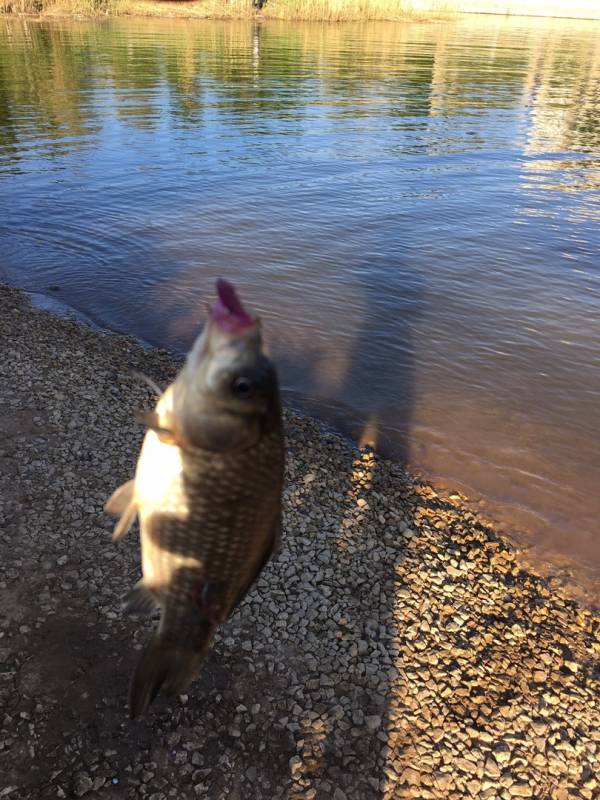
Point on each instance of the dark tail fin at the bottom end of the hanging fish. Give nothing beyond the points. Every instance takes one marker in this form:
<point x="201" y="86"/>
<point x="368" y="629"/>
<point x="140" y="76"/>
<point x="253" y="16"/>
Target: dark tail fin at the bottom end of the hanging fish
<point x="168" y="666"/>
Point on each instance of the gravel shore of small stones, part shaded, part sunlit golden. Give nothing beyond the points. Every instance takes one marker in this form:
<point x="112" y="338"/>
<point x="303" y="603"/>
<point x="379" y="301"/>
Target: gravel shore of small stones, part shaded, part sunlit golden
<point x="397" y="647"/>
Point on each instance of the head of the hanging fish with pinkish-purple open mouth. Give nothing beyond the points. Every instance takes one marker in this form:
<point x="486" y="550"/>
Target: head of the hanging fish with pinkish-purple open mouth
<point x="229" y="390"/>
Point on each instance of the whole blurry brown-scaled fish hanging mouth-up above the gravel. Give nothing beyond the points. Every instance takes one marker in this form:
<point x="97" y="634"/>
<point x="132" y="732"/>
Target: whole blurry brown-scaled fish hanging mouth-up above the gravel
<point x="207" y="493"/>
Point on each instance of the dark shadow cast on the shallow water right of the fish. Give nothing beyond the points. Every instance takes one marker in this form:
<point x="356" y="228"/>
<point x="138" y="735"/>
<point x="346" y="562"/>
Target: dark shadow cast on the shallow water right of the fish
<point x="372" y="400"/>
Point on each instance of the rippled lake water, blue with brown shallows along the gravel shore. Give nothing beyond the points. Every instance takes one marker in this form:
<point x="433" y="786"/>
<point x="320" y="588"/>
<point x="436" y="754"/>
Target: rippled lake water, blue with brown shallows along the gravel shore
<point x="413" y="207"/>
